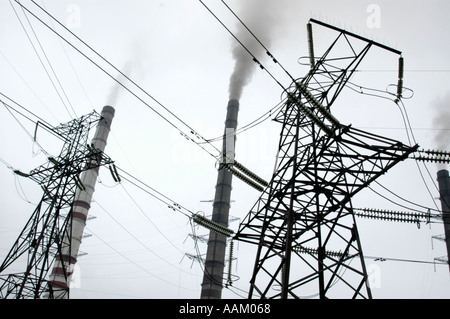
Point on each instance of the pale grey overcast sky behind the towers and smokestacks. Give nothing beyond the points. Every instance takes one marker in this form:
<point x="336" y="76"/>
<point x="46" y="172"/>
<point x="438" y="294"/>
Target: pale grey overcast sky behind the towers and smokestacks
<point x="181" y="55"/>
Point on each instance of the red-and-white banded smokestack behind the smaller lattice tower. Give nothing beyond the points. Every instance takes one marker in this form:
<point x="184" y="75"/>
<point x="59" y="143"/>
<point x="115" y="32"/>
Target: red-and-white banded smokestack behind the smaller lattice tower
<point x="80" y="208"/>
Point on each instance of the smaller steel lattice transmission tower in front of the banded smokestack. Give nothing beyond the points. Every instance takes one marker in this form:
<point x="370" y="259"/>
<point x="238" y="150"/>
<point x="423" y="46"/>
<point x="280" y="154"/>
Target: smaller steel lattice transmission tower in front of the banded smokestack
<point x="47" y="235"/>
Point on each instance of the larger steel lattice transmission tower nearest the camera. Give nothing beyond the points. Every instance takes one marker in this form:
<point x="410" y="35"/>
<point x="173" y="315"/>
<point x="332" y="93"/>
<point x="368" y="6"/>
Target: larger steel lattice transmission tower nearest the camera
<point x="303" y="224"/>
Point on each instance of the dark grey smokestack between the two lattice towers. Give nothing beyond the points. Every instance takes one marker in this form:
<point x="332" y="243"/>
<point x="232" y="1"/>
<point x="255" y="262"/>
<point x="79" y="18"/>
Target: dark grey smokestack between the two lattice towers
<point x="215" y="255"/>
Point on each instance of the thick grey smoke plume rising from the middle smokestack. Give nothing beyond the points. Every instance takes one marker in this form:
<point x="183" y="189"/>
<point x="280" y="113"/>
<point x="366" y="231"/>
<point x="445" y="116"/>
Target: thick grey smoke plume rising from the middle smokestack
<point x="264" y="18"/>
